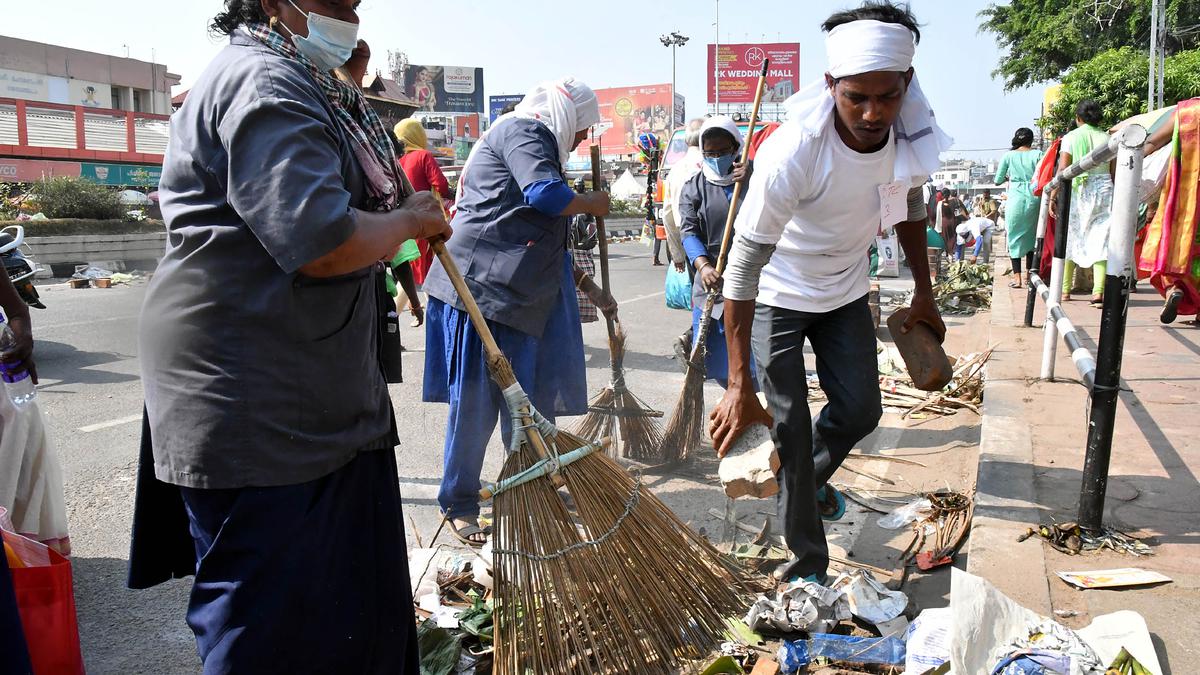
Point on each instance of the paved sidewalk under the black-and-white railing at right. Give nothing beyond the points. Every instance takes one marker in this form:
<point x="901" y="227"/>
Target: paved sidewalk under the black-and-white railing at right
<point x="1033" y="451"/>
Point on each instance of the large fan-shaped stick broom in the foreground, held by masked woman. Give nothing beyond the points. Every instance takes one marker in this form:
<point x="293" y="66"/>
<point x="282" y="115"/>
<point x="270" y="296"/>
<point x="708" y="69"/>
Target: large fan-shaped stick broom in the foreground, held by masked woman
<point x="622" y="586"/>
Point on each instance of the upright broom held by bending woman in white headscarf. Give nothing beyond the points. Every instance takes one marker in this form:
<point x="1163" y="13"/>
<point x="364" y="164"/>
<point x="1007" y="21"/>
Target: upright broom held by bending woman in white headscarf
<point x="616" y="407"/>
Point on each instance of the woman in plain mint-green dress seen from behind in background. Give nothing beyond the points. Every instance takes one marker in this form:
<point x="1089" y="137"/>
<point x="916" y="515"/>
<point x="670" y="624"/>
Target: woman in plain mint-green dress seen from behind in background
<point x="1022" y="214"/>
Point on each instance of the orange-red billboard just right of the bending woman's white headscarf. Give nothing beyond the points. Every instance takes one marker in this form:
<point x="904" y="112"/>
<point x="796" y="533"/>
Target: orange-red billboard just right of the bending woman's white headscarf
<point x="629" y="111"/>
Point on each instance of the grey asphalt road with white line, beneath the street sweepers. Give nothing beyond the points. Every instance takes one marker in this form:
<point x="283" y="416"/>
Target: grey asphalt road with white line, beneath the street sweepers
<point x="92" y="396"/>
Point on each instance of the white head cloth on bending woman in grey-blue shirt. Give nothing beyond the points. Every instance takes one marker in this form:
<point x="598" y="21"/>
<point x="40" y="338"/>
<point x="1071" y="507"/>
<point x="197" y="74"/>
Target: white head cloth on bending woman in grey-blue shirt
<point x="566" y="107"/>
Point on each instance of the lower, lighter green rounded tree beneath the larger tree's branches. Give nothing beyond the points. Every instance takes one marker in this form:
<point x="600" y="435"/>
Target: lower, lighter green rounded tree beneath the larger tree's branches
<point x="1118" y="81"/>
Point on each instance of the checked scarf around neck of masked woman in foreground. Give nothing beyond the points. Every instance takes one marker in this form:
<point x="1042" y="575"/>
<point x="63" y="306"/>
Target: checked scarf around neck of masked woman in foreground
<point x="370" y="141"/>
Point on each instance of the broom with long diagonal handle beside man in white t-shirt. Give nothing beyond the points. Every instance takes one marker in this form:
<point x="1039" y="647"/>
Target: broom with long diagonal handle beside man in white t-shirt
<point x="686" y="428"/>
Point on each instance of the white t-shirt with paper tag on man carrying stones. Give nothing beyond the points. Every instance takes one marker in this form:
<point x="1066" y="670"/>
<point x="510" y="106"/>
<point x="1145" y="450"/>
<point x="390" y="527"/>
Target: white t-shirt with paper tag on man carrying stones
<point x="819" y="204"/>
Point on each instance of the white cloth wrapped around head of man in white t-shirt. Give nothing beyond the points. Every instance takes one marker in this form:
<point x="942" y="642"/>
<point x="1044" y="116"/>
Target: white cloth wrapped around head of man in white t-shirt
<point x="869" y="46"/>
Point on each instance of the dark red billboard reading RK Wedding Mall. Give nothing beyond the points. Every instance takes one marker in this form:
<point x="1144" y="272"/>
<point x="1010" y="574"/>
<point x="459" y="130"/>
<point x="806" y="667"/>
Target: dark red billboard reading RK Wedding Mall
<point x="737" y="69"/>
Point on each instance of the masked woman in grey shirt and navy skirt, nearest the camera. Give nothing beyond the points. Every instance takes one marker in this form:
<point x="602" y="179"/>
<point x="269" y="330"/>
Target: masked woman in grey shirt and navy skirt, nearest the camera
<point x="267" y="465"/>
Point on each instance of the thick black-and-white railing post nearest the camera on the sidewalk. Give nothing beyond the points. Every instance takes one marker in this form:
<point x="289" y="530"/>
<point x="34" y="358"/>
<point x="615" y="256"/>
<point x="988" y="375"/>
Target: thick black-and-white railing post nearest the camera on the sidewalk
<point x="1107" y="390"/>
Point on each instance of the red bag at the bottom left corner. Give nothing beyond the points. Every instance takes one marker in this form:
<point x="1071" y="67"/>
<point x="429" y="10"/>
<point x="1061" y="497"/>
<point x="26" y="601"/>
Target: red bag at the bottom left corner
<point x="46" y="604"/>
